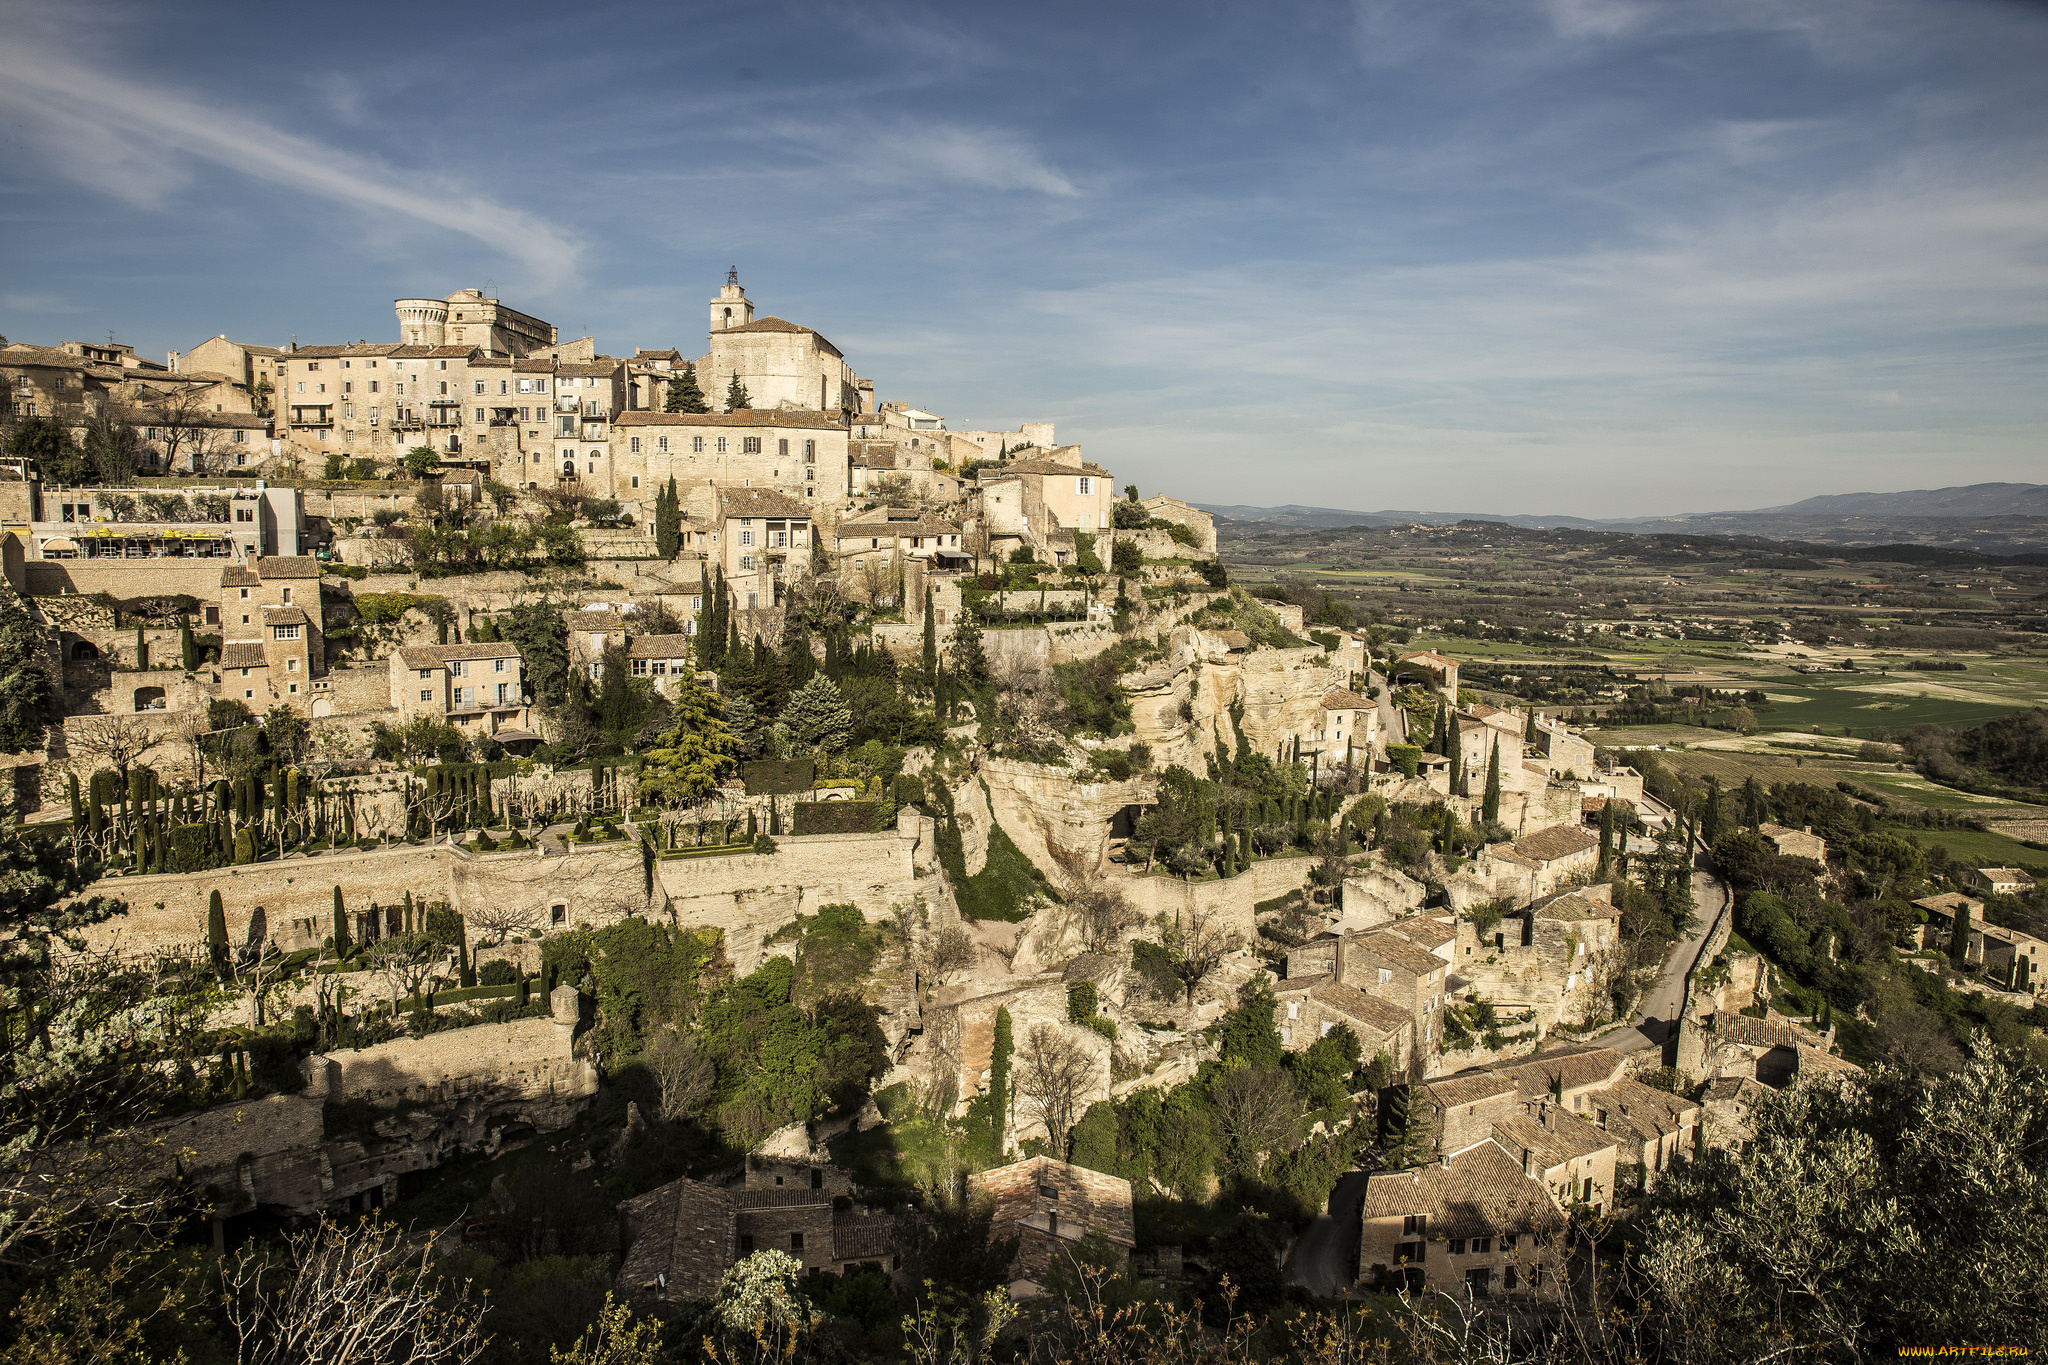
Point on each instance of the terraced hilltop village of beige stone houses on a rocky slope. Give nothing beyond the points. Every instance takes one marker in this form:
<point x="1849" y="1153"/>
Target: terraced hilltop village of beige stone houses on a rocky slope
<point x="787" y="813"/>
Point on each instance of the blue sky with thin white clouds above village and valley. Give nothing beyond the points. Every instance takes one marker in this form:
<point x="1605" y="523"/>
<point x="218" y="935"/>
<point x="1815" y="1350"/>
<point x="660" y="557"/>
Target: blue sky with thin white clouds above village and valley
<point x="1596" y="257"/>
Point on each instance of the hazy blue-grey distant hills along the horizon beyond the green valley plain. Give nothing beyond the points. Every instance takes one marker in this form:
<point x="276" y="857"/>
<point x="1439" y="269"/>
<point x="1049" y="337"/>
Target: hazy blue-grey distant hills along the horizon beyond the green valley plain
<point x="1992" y="519"/>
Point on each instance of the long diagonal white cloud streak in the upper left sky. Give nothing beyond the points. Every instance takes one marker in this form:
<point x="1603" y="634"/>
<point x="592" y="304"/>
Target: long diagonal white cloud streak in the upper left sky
<point x="140" y="142"/>
